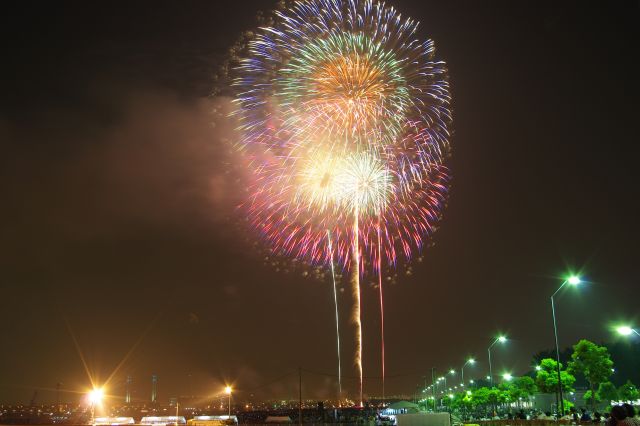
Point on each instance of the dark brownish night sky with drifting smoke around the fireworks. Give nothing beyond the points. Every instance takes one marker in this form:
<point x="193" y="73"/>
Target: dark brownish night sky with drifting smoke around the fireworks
<point x="117" y="222"/>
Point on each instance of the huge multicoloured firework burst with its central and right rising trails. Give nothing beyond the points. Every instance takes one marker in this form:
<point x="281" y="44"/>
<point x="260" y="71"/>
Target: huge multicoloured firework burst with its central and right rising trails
<point x="345" y="124"/>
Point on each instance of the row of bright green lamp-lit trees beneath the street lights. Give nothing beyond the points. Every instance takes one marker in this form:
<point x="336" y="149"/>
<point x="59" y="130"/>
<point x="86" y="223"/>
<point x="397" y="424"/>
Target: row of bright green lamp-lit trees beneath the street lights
<point x="588" y="360"/>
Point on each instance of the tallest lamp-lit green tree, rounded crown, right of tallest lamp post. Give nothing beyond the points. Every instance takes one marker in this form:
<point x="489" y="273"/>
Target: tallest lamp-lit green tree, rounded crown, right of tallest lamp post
<point x="593" y="362"/>
